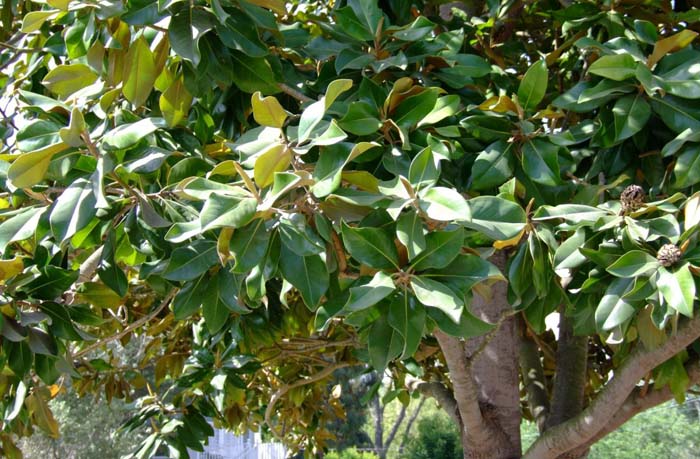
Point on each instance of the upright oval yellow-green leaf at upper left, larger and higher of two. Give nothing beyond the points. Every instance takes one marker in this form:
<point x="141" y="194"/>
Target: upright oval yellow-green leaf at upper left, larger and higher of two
<point x="140" y="72"/>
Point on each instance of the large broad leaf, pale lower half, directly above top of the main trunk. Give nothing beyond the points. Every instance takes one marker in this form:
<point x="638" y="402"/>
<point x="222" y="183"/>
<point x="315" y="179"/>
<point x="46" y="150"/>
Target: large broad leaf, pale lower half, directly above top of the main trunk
<point x="497" y="218"/>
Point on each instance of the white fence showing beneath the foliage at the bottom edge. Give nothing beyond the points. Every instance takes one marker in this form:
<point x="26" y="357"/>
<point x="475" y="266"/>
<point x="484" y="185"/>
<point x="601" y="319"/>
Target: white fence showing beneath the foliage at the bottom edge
<point x="225" y="445"/>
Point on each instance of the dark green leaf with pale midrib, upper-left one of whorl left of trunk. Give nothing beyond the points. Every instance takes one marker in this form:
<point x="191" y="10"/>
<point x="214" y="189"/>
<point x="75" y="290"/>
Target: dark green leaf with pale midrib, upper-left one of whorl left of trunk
<point x="373" y="247"/>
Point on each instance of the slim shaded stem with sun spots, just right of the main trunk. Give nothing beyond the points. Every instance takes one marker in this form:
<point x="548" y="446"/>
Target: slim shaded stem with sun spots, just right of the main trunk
<point x="533" y="380"/>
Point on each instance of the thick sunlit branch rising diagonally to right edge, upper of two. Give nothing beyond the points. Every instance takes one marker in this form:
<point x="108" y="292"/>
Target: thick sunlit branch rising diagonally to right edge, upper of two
<point x="581" y="429"/>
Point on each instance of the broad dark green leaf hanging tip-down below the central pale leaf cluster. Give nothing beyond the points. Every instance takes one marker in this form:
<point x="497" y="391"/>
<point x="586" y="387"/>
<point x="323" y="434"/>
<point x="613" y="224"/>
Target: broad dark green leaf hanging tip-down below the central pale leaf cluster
<point x="309" y="275"/>
